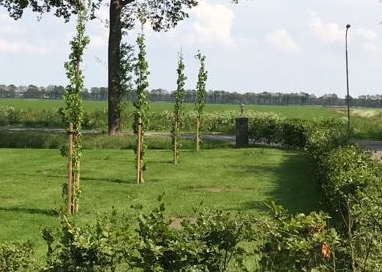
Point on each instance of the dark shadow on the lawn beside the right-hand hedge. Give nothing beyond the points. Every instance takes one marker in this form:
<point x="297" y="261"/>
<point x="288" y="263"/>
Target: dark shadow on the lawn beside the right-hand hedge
<point x="295" y="186"/>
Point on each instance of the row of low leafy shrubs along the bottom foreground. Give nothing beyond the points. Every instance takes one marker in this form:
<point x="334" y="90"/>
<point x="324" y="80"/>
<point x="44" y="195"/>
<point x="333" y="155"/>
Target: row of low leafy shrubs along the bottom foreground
<point x="211" y="240"/>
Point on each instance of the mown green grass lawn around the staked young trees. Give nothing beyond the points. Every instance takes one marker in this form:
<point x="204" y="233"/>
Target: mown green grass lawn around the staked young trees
<point x="226" y="179"/>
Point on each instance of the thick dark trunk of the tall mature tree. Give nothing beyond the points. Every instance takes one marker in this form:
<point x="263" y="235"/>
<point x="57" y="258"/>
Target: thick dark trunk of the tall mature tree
<point x="115" y="37"/>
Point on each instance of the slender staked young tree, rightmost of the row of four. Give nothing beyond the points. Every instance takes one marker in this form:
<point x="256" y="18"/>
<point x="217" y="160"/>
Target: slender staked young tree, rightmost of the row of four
<point x="201" y="96"/>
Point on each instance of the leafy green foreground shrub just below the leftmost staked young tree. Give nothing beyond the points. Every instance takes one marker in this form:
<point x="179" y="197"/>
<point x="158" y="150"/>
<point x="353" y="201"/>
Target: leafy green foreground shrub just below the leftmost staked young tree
<point x="103" y="246"/>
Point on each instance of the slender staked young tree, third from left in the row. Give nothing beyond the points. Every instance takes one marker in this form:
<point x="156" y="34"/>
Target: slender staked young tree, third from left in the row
<point x="179" y="97"/>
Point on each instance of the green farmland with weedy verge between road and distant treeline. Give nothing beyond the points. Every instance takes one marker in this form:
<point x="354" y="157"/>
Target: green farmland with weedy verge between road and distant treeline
<point x="366" y="123"/>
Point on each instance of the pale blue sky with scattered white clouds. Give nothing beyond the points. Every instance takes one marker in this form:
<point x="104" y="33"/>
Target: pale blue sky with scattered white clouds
<point x="286" y="46"/>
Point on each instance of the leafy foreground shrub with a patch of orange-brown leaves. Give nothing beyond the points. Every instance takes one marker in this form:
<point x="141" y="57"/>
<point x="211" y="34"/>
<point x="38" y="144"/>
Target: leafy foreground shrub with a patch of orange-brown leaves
<point x="299" y="243"/>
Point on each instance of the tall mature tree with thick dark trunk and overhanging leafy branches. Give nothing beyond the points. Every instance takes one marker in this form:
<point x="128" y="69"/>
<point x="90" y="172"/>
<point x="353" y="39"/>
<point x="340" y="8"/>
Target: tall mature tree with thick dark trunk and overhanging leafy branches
<point x="162" y="15"/>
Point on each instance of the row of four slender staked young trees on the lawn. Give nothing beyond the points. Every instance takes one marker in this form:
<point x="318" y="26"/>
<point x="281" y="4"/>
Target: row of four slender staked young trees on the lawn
<point x="137" y="72"/>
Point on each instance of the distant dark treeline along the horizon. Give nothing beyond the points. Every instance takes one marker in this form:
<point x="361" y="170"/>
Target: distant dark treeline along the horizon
<point x="217" y="97"/>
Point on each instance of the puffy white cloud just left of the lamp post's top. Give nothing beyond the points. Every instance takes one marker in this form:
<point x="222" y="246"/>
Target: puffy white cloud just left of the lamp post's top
<point x="326" y="32"/>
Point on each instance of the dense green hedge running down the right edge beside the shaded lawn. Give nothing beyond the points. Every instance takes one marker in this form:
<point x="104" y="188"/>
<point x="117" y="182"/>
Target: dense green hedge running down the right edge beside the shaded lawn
<point x="351" y="181"/>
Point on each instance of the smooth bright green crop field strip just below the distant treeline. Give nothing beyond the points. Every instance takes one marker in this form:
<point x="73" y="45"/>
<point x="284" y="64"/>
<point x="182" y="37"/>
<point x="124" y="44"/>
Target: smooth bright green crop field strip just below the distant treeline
<point x="302" y="112"/>
